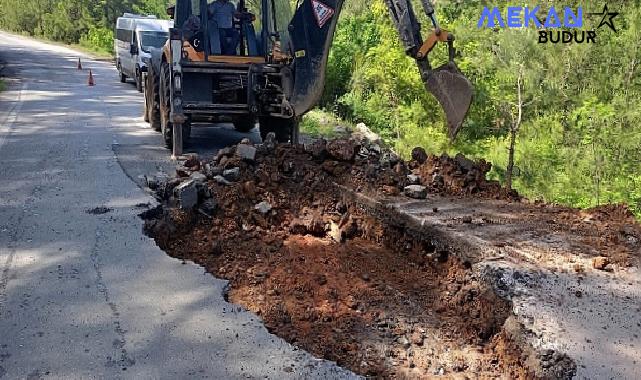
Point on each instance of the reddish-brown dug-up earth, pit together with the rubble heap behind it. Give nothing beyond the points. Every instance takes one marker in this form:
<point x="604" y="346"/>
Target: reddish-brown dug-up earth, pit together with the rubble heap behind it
<point x="324" y="274"/>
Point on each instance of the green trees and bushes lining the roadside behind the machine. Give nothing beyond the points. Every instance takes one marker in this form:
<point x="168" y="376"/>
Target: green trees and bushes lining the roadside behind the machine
<point x="560" y="122"/>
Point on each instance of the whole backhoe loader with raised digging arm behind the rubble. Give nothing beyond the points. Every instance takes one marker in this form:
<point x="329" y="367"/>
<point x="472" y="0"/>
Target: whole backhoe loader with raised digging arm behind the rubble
<point x="270" y="68"/>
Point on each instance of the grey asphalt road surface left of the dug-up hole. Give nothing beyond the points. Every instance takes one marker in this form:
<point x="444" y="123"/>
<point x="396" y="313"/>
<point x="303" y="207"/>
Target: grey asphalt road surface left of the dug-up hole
<point x="85" y="295"/>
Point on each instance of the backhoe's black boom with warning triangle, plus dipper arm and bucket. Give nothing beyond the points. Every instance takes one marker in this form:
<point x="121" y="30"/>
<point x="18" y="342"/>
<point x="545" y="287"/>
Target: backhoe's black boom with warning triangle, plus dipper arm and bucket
<point x="312" y="30"/>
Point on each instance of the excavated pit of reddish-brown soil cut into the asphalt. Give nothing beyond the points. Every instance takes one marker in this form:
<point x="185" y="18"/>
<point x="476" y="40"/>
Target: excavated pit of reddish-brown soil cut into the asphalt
<point x="383" y="303"/>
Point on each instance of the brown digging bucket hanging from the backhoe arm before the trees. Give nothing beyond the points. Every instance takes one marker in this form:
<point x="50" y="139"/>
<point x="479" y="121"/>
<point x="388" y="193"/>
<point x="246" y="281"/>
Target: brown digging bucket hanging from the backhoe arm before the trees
<point x="454" y="92"/>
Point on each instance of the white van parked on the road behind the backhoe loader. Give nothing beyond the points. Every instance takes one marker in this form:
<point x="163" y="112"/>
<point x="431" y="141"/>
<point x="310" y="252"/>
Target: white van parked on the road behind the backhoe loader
<point x="135" y="34"/>
